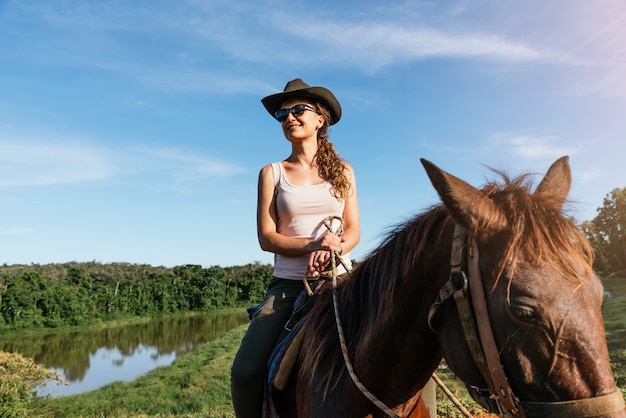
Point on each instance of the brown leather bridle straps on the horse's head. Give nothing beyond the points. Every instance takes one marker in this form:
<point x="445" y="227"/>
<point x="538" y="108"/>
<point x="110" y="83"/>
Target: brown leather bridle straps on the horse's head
<point x="499" y="397"/>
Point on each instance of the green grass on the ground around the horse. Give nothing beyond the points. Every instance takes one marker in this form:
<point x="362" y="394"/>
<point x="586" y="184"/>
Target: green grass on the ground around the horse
<point x="198" y="384"/>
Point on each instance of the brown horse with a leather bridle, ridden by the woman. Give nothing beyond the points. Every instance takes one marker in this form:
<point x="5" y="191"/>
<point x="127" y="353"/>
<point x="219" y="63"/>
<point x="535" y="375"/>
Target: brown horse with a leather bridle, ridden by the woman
<point x="542" y="298"/>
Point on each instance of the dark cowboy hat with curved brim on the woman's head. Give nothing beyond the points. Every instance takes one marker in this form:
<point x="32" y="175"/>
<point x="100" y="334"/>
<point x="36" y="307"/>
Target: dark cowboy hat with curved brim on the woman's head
<point x="298" y="89"/>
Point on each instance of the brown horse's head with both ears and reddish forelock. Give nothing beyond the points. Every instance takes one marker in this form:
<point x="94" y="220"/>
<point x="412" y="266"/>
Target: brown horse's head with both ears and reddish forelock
<point x="542" y="298"/>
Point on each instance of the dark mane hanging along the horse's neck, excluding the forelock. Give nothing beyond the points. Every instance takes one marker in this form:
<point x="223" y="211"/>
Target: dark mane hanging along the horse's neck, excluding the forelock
<point x="371" y="294"/>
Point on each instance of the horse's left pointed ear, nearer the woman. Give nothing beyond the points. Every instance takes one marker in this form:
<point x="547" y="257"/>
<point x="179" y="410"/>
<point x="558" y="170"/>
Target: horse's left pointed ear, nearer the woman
<point x="469" y="206"/>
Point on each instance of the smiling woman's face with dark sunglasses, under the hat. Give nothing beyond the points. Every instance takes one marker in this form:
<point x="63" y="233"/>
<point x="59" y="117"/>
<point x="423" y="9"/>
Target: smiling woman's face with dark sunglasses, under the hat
<point x="301" y="125"/>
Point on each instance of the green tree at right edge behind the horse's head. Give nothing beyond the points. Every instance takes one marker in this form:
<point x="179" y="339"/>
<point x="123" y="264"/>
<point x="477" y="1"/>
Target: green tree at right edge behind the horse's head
<point x="607" y="233"/>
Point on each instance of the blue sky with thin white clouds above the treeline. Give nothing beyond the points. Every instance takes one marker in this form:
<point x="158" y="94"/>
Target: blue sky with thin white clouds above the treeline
<point x="132" y="131"/>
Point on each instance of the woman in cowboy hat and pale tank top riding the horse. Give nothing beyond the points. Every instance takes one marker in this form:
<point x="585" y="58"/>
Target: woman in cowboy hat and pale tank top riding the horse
<point x="310" y="185"/>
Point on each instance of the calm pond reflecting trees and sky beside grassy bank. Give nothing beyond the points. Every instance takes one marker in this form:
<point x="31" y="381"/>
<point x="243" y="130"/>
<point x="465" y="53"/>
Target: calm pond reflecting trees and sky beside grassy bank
<point x="90" y="358"/>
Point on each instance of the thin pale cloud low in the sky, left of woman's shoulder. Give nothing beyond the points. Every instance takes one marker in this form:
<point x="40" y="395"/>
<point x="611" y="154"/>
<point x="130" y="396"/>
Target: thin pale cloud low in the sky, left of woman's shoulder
<point x="24" y="163"/>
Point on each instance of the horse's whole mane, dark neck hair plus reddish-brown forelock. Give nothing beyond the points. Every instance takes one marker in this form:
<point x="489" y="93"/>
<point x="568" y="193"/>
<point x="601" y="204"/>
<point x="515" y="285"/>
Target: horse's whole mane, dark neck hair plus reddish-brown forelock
<point x="410" y="261"/>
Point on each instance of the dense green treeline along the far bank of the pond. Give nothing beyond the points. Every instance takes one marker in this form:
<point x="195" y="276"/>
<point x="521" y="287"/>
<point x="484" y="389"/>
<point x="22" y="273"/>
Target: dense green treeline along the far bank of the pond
<point x="72" y="294"/>
